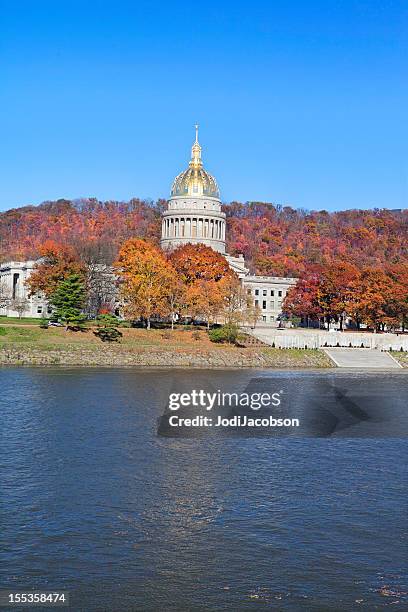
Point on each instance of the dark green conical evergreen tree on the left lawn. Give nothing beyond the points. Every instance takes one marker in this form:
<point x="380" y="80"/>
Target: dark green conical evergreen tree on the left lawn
<point x="69" y="299"/>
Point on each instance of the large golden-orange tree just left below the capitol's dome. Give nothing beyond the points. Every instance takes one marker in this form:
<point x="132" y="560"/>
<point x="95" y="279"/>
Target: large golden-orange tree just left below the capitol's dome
<point x="146" y="279"/>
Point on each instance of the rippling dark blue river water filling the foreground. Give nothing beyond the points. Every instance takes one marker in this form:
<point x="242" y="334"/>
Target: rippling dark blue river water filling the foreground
<point x="93" y="501"/>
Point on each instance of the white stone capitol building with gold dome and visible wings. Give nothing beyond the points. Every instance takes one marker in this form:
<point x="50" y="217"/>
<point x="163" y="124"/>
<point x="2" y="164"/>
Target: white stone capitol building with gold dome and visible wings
<point x="194" y="215"/>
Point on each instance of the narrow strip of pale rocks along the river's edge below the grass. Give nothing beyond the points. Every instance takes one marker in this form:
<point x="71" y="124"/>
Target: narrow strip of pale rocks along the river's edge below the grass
<point x="117" y="356"/>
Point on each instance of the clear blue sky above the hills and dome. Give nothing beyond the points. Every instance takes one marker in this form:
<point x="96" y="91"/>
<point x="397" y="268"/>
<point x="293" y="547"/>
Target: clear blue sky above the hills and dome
<point x="299" y="103"/>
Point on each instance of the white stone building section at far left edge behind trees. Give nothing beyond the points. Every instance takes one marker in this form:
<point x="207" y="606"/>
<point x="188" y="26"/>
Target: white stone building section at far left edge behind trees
<point x="14" y="293"/>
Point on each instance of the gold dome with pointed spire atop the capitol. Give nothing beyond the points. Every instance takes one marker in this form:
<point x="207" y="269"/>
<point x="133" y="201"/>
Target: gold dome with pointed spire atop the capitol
<point x="195" y="181"/>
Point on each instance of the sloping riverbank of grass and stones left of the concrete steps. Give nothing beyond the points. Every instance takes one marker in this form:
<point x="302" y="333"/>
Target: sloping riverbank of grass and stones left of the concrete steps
<point x="155" y="348"/>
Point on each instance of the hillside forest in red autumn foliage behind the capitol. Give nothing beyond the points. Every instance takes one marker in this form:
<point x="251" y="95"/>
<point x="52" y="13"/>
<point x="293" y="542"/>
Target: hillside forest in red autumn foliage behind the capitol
<point x="275" y="240"/>
